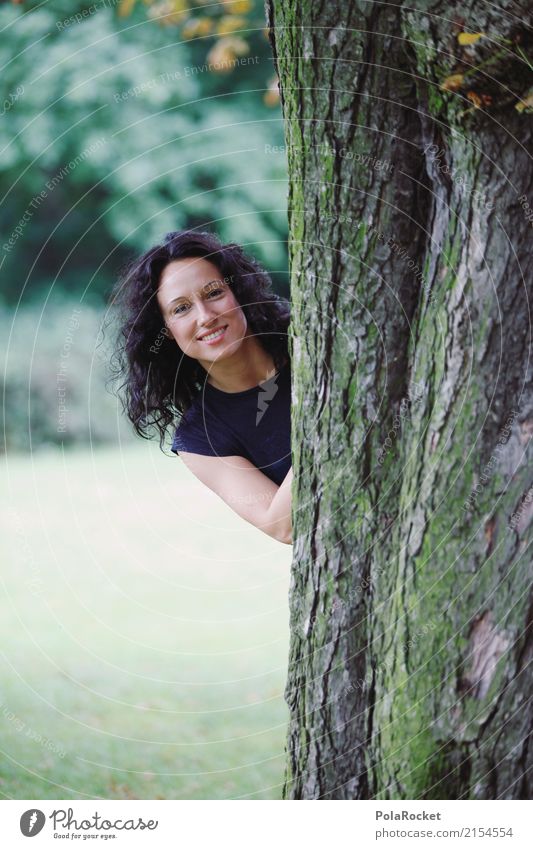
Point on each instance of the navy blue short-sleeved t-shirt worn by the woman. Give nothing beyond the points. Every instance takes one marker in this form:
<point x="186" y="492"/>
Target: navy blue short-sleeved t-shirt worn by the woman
<point x="255" y="424"/>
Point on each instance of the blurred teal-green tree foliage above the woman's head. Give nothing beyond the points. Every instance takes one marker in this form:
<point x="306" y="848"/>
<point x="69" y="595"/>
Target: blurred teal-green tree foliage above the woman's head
<point x="114" y="133"/>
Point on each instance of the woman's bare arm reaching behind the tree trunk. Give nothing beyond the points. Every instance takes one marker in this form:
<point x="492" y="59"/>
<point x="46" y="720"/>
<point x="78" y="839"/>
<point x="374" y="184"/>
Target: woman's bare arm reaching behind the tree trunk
<point x="248" y="491"/>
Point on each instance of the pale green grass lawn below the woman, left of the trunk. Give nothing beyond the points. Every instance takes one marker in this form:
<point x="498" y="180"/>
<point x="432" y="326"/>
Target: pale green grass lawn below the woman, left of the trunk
<point x="143" y="634"/>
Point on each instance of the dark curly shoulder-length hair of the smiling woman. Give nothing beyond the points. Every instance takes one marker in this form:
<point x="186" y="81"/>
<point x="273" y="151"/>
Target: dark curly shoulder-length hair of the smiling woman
<point x="159" y="381"/>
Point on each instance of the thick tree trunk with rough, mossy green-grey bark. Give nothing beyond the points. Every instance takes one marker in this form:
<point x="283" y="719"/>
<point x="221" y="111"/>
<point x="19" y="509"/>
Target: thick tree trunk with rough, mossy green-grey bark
<point x="410" y="249"/>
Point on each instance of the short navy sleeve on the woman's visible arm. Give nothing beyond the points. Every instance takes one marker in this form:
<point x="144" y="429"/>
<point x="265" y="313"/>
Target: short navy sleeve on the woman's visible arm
<point x="204" y="434"/>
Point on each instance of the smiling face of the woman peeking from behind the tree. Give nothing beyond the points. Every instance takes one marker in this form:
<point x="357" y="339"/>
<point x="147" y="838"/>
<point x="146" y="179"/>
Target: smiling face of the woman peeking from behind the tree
<point x="200" y="310"/>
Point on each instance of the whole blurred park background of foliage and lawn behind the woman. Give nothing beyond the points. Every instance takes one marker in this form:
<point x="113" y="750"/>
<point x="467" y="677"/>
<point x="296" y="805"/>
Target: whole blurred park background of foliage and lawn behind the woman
<point x="144" y="647"/>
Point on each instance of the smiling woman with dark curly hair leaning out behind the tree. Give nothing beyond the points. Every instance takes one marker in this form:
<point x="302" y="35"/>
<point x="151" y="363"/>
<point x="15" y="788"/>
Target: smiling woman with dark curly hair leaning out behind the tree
<point x="203" y="338"/>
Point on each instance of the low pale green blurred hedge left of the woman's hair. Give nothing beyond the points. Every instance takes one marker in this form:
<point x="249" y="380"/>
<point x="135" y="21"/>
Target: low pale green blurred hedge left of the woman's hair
<point x="54" y="378"/>
